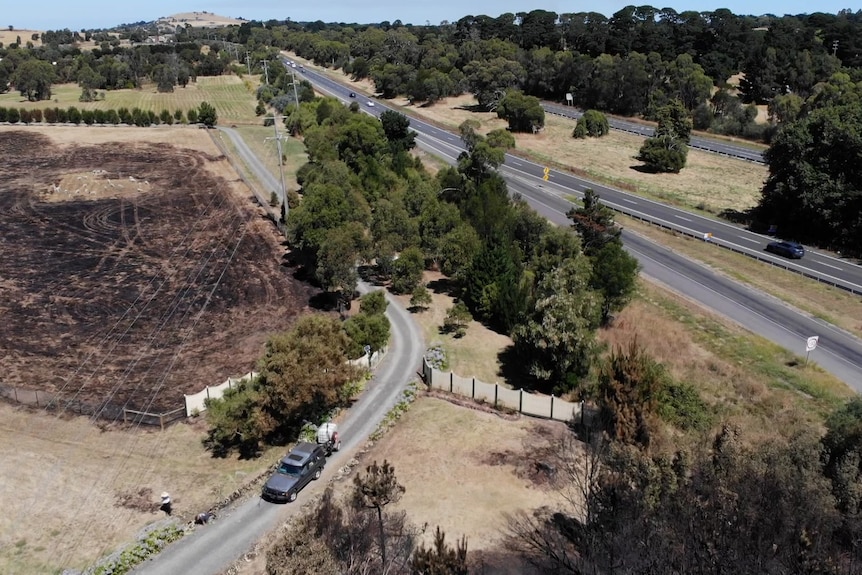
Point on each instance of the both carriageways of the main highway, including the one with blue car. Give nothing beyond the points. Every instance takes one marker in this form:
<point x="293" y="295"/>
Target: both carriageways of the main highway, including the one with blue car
<point x="838" y="352"/>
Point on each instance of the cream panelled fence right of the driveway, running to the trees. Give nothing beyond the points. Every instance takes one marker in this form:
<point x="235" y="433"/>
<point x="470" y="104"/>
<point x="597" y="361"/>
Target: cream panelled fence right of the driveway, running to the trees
<point x="535" y="404"/>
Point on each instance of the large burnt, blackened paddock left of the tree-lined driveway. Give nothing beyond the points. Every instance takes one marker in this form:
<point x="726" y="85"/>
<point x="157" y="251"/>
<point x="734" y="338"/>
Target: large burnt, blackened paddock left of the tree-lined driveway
<point x="132" y="271"/>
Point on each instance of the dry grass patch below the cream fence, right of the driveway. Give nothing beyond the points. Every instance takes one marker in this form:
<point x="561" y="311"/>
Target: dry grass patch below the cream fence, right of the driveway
<point x="462" y="469"/>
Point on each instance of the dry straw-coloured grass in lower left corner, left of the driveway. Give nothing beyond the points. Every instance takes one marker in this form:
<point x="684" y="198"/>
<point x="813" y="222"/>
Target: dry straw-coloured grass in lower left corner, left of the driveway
<point x="94" y="469"/>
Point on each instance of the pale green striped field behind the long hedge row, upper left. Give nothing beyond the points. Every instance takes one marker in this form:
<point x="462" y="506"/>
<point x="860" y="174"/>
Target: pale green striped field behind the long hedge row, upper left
<point x="233" y="98"/>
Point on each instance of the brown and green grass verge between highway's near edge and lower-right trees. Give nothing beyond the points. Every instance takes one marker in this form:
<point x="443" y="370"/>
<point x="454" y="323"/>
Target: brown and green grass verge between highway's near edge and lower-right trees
<point x="745" y="378"/>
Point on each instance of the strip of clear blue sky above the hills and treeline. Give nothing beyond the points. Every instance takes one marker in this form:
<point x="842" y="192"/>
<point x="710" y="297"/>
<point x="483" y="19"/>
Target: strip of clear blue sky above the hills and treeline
<point x="89" y="14"/>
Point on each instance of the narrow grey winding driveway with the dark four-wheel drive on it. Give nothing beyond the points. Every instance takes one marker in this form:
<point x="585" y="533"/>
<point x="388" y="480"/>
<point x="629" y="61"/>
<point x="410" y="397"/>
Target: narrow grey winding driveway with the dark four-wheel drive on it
<point x="212" y="548"/>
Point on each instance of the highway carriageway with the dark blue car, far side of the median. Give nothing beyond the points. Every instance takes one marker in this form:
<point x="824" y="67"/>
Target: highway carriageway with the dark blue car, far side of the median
<point x="816" y="265"/>
